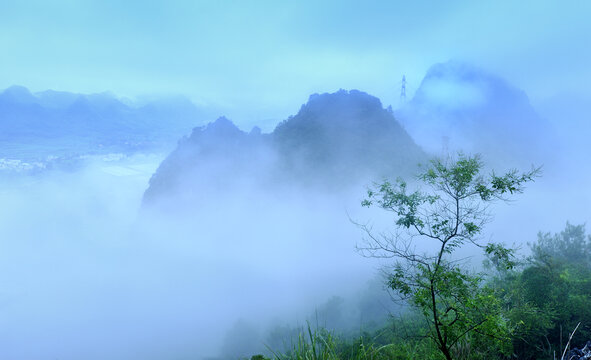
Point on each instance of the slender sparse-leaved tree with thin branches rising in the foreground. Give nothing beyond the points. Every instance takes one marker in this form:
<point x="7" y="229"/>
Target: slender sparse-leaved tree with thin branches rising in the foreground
<point x="451" y="212"/>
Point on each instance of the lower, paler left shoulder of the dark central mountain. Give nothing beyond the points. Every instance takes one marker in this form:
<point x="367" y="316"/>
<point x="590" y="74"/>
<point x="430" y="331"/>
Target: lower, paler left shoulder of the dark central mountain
<point x="213" y="157"/>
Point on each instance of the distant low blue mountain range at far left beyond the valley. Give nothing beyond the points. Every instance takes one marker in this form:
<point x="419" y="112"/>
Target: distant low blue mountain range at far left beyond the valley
<point x="81" y="123"/>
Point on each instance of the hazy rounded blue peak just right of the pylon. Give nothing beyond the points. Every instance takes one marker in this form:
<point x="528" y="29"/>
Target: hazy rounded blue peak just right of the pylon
<point x="461" y="107"/>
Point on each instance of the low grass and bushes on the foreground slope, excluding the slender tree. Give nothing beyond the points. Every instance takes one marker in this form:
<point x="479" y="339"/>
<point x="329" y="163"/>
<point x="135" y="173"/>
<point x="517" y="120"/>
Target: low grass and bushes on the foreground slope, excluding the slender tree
<point x="542" y="299"/>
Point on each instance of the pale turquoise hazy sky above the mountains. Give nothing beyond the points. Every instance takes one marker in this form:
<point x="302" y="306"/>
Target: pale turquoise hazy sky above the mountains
<point x="263" y="58"/>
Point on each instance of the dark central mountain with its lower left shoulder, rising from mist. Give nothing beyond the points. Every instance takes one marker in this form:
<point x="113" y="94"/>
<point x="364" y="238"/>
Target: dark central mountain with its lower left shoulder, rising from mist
<point x="335" y="140"/>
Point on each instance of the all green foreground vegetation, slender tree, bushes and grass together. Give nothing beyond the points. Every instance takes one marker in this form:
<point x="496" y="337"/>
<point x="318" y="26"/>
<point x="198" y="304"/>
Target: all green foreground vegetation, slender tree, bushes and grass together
<point x="517" y="308"/>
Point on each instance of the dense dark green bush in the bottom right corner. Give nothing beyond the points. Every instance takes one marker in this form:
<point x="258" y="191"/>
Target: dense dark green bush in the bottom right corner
<point x="549" y="294"/>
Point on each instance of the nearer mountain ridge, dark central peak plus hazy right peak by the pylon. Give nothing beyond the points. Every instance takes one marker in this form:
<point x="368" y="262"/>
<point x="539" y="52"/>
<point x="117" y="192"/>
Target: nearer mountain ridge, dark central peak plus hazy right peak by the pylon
<point x="348" y="138"/>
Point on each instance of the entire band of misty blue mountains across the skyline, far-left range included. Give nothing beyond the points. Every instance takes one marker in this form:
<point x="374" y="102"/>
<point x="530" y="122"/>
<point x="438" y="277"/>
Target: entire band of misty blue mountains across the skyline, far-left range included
<point x="342" y="138"/>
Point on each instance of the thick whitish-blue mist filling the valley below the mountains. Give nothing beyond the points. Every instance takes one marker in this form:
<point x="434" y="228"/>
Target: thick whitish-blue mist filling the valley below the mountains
<point x="87" y="274"/>
